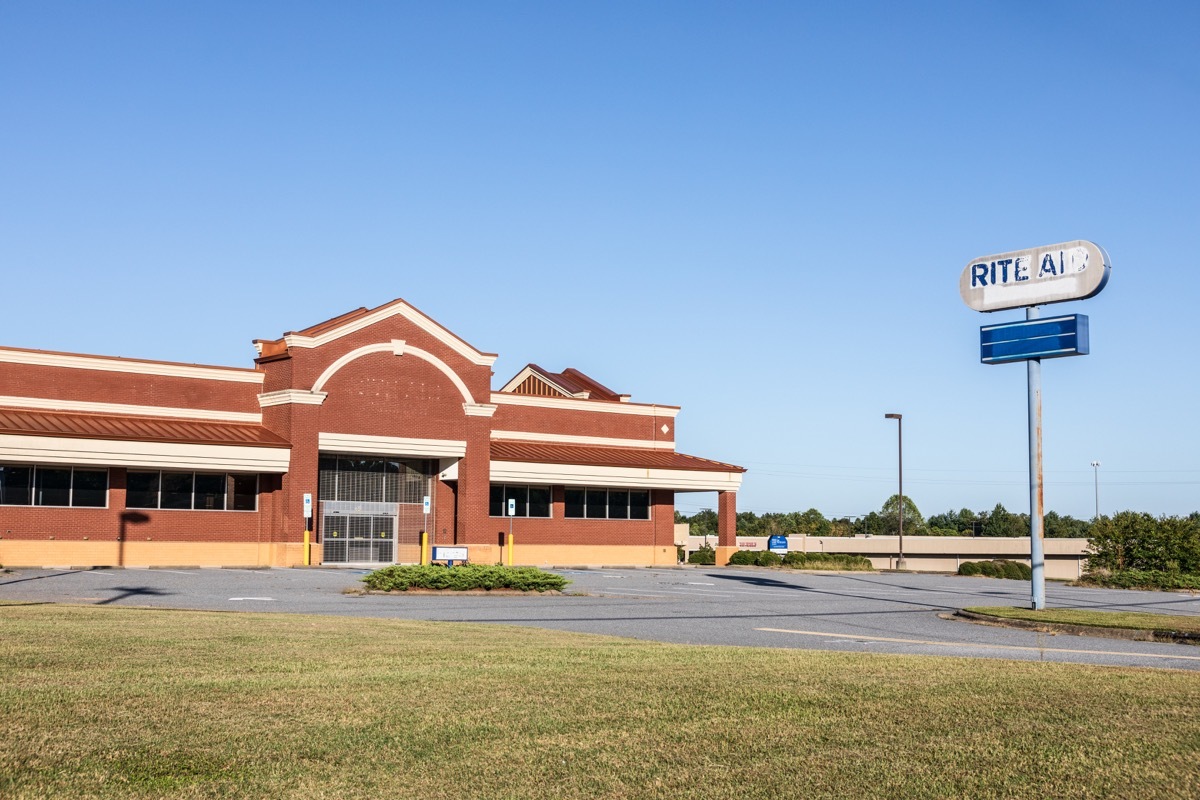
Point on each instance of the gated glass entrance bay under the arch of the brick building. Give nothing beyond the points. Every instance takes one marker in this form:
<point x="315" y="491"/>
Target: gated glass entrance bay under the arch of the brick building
<point x="373" y="509"/>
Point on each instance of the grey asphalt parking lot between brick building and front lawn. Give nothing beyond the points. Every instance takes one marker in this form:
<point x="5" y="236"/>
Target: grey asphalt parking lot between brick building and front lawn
<point x="890" y="613"/>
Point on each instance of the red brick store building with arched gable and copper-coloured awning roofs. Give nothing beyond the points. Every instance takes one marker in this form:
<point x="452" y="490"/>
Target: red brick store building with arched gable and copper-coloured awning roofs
<point x="112" y="461"/>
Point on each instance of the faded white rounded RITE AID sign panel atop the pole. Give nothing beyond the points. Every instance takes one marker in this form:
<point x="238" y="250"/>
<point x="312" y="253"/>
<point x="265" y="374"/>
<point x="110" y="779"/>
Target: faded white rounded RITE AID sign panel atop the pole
<point x="1073" y="270"/>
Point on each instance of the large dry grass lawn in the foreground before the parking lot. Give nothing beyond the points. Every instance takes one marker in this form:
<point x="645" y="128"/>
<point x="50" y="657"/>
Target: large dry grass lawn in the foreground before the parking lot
<point x="131" y="703"/>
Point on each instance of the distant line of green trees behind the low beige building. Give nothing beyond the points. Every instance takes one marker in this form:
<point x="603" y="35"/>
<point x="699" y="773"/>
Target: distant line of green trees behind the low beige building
<point x="886" y="522"/>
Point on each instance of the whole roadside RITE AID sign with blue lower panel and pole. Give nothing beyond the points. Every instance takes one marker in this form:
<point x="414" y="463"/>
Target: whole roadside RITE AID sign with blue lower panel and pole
<point x="1028" y="279"/>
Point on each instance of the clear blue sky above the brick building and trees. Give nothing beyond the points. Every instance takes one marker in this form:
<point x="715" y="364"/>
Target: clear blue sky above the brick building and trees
<point x="757" y="212"/>
